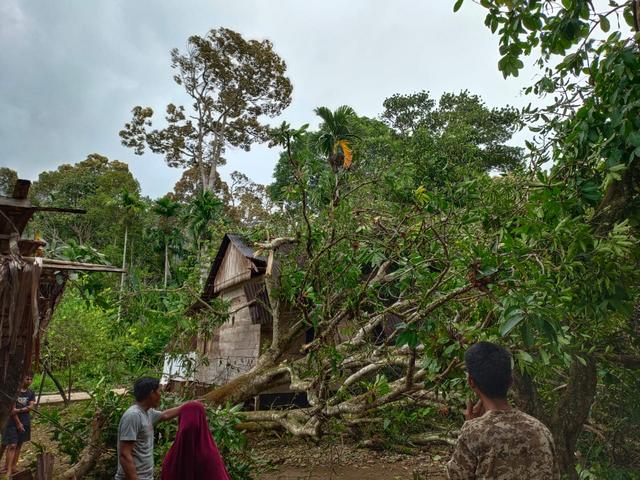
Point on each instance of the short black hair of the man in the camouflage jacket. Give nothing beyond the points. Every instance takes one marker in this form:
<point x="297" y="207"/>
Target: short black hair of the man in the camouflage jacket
<point x="489" y="365"/>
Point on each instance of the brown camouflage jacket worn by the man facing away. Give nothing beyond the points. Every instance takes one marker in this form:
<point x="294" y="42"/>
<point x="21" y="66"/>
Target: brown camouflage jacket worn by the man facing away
<point x="503" y="445"/>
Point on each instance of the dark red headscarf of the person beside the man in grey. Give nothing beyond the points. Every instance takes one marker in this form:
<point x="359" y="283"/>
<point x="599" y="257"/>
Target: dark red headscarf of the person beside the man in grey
<point x="194" y="455"/>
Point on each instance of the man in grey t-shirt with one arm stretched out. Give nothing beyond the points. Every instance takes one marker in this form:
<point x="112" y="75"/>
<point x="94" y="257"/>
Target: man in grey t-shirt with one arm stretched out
<point x="135" y="433"/>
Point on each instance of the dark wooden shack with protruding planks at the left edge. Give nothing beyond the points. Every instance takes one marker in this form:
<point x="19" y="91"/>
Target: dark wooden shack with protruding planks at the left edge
<point x="30" y="288"/>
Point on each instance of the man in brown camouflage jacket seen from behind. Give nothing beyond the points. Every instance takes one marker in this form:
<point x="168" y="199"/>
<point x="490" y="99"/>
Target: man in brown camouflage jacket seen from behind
<point x="499" y="442"/>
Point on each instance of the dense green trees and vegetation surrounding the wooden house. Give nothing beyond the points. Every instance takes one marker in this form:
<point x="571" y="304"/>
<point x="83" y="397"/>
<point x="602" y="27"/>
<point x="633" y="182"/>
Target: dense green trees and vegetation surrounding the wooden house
<point x="412" y="235"/>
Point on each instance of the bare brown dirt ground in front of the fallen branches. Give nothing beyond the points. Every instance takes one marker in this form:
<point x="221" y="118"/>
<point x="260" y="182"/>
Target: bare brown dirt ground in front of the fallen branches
<point x="282" y="458"/>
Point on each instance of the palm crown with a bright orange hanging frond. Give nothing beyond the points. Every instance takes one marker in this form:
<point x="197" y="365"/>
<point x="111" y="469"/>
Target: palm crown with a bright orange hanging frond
<point x="336" y="136"/>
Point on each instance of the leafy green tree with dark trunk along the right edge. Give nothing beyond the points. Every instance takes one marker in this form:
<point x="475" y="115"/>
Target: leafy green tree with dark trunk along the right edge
<point x="588" y="130"/>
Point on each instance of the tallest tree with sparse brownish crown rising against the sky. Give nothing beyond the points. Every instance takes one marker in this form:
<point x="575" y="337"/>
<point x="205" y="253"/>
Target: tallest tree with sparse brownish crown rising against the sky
<point x="233" y="83"/>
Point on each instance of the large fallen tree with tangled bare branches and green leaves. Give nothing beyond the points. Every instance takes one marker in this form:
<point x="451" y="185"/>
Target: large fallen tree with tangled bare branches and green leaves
<point x="395" y="289"/>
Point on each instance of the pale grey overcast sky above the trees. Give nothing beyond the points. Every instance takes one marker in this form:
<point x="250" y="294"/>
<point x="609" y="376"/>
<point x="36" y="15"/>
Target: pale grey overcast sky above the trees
<point x="71" y="70"/>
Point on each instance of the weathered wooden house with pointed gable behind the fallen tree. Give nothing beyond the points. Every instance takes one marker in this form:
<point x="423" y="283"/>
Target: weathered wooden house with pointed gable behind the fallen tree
<point x="237" y="276"/>
